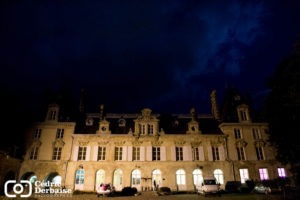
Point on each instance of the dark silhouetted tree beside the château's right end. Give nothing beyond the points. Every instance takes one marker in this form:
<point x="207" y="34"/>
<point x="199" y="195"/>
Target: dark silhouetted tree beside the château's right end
<point x="283" y="110"/>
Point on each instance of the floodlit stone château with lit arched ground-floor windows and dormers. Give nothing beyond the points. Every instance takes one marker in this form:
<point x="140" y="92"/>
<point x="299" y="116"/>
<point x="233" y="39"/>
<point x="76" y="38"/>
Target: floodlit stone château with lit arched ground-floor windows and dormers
<point x="136" y="149"/>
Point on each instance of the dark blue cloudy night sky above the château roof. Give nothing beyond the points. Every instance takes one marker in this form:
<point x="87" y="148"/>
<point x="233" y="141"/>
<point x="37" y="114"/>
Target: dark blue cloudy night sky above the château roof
<point x="166" y="55"/>
